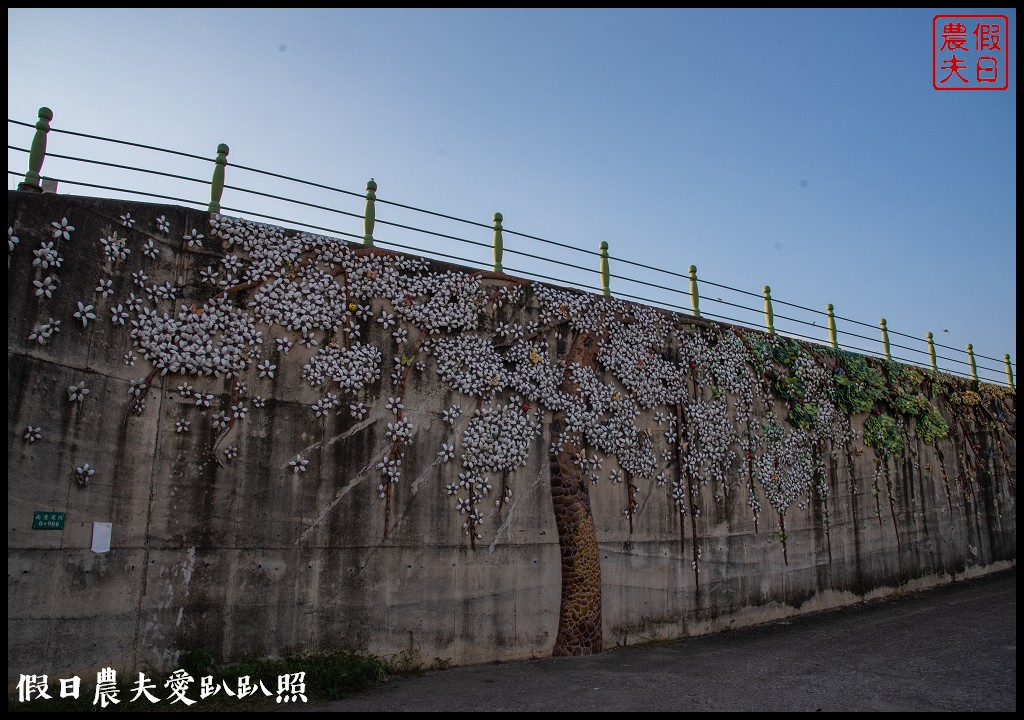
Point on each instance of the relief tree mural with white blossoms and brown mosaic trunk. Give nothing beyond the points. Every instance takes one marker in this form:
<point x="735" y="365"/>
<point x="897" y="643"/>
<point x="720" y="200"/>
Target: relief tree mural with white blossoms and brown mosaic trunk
<point x="620" y="396"/>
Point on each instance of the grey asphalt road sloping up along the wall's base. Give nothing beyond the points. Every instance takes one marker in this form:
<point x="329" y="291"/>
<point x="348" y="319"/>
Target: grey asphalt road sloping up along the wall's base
<point x="952" y="649"/>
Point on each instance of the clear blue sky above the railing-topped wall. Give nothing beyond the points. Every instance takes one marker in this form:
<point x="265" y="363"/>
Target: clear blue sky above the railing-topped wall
<point x="805" y="150"/>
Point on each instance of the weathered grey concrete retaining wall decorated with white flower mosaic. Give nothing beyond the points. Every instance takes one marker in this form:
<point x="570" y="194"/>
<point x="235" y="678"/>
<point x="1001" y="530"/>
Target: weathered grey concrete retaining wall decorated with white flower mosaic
<point x="715" y="503"/>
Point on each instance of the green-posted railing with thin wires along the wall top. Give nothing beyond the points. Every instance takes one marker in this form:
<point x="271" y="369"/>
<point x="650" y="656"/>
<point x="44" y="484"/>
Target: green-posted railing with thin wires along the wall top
<point x="678" y="291"/>
